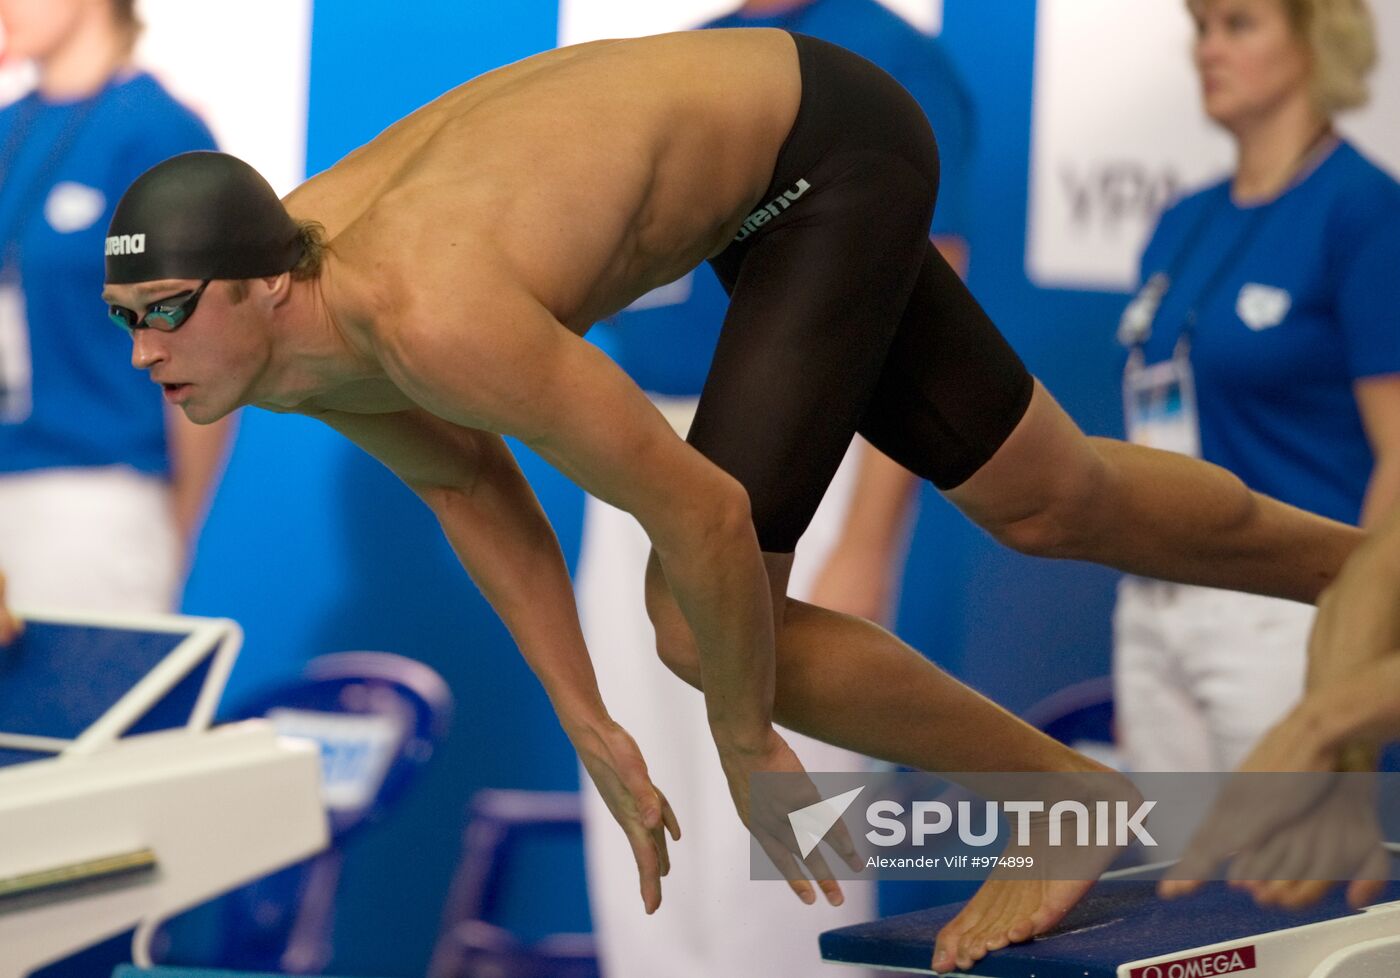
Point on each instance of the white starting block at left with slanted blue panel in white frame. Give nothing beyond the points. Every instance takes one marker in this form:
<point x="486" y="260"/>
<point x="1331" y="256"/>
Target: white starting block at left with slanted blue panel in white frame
<point x="111" y="830"/>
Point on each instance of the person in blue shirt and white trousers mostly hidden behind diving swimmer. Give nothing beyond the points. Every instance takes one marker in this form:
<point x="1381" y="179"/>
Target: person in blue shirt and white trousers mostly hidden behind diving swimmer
<point x="716" y="920"/>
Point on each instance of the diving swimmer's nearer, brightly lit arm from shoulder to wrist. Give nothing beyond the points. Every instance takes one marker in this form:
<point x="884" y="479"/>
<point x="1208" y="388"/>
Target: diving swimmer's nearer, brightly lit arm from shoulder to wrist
<point x="517" y="370"/>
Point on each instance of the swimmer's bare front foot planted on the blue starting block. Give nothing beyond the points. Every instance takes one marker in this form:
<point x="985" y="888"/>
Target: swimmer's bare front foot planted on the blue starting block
<point x="1018" y="905"/>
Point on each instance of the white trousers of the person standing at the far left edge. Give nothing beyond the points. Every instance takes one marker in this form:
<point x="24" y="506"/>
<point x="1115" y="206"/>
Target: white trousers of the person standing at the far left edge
<point x="89" y="541"/>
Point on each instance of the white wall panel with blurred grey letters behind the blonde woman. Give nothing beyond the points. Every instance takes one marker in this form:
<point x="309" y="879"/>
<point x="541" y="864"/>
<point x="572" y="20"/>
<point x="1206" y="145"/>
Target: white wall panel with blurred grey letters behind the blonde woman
<point x="1119" y="128"/>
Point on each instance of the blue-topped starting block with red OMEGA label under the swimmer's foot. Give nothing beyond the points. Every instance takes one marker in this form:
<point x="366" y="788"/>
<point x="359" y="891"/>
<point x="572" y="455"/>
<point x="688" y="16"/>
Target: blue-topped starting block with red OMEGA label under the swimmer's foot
<point x="1122" y="930"/>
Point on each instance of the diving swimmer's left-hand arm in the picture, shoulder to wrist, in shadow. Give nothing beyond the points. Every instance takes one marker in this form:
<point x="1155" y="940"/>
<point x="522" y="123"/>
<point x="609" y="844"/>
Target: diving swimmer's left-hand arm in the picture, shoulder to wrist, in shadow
<point x="500" y="534"/>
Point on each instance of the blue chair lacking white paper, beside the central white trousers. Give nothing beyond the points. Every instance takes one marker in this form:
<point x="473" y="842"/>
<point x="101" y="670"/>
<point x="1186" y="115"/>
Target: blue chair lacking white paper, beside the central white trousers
<point x="470" y="945"/>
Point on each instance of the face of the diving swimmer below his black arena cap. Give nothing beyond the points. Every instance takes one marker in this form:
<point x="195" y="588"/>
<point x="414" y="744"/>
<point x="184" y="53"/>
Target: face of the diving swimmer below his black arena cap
<point x="209" y="364"/>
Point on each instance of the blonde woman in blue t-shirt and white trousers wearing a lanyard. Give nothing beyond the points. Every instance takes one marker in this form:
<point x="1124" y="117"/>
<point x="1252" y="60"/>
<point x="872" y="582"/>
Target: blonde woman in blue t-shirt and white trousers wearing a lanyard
<point x="1266" y="339"/>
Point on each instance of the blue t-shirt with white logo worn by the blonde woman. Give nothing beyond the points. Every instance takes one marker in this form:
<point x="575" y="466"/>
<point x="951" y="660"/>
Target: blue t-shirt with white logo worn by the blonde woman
<point x="1291" y="302"/>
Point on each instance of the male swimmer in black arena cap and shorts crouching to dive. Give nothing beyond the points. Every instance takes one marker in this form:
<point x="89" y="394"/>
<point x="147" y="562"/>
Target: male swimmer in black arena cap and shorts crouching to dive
<point x="442" y="302"/>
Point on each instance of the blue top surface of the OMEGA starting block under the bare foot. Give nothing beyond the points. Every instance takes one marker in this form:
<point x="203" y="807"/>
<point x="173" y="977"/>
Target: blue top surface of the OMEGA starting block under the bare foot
<point x="1118" y="923"/>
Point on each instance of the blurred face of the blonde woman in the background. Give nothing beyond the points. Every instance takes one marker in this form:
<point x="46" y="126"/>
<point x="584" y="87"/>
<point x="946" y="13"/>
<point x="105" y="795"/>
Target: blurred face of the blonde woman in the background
<point x="1251" y="59"/>
